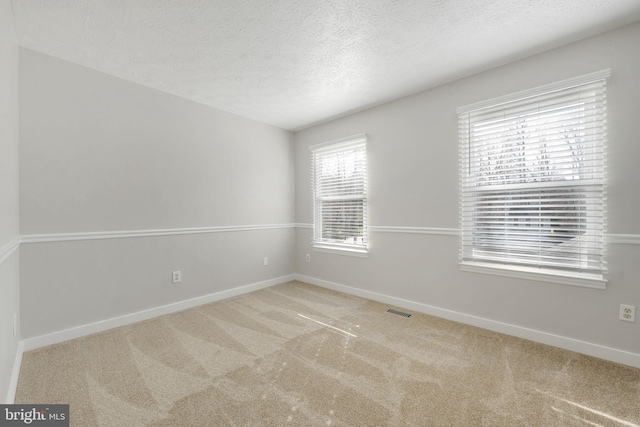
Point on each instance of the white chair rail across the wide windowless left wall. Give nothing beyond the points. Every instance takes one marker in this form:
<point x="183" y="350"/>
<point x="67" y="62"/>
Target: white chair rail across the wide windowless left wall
<point x="98" y="235"/>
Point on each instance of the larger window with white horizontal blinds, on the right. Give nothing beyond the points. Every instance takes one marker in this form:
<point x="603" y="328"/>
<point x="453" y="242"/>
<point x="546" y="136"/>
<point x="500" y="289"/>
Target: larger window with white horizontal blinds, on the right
<point x="532" y="177"/>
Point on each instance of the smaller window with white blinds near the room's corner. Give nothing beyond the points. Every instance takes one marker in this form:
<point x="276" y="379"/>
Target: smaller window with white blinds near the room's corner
<point x="339" y="176"/>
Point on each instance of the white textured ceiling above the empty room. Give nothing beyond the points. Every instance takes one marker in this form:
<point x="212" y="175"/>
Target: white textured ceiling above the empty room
<point x="294" y="63"/>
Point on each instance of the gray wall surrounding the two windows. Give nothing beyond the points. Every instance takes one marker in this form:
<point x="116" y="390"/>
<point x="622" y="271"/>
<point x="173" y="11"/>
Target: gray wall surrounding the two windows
<point x="413" y="182"/>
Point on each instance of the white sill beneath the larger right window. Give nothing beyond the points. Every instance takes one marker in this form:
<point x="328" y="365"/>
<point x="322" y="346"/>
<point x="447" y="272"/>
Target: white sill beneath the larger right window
<point x="542" y="275"/>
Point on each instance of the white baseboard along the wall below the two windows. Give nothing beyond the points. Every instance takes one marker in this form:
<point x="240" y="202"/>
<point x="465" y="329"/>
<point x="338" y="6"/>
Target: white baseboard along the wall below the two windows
<point x="595" y="350"/>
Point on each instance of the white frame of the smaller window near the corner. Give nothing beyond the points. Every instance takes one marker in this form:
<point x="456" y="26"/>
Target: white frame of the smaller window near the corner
<point x="319" y="243"/>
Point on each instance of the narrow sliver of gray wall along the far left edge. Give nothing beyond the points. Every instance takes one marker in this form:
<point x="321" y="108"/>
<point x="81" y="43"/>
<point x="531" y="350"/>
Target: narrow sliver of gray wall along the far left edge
<point x="9" y="230"/>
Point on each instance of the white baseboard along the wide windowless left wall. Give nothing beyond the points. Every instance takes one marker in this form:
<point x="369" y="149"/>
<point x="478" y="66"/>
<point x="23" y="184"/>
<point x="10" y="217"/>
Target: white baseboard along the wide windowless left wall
<point x="127" y="319"/>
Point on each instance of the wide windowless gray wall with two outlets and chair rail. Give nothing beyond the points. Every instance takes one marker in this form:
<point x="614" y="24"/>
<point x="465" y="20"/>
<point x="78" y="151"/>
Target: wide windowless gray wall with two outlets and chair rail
<point x="100" y="154"/>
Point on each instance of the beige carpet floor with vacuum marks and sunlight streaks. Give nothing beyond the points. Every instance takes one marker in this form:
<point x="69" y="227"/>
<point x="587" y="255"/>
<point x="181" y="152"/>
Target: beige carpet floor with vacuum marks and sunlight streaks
<point x="300" y="355"/>
